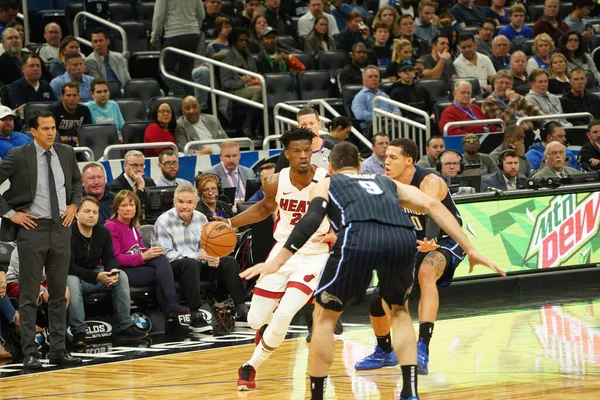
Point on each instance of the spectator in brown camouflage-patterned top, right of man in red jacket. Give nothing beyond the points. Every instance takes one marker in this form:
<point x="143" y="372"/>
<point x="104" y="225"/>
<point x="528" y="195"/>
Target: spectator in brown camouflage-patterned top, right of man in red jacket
<point x="508" y="105"/>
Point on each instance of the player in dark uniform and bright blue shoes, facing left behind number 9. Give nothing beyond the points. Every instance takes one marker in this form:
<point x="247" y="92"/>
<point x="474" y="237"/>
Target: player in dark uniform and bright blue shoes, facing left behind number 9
<point x="436" y="259"/>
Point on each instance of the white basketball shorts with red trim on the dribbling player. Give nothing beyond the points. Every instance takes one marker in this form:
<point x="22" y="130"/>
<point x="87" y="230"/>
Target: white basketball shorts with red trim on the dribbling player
<point x="301" y="271"/>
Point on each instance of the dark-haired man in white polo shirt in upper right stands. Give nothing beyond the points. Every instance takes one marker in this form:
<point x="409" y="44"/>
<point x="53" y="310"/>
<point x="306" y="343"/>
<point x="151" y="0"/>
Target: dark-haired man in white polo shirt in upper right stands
<point x="471" y="63"/>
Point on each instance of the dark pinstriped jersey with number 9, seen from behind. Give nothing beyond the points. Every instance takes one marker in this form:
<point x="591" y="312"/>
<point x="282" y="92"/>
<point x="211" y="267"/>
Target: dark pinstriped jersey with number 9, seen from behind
<point x="364" y="198"/>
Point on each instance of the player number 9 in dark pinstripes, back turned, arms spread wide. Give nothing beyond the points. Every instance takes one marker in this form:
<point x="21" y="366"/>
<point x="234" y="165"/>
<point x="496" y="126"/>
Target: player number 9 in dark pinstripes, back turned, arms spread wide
<point x="373" y="233"/>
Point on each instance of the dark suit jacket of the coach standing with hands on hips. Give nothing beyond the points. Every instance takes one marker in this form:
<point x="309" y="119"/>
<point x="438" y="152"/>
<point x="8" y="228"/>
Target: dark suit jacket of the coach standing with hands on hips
<point x="20" y="168"/>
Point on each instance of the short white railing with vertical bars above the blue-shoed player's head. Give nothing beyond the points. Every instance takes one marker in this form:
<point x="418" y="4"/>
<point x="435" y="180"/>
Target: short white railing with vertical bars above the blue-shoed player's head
<point x="389" y="123"/>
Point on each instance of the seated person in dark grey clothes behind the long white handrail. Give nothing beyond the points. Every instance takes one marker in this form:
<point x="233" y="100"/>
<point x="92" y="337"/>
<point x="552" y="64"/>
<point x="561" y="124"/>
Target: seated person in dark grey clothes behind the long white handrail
<point x="243" y="86"/>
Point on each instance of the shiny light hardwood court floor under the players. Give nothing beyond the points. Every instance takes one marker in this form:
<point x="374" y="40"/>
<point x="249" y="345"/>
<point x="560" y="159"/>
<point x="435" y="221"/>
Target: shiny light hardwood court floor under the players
<point x="552" y="352"/>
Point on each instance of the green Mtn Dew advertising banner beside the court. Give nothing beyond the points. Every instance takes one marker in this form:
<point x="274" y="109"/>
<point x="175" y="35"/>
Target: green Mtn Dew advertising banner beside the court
<point x="536" y="233"/>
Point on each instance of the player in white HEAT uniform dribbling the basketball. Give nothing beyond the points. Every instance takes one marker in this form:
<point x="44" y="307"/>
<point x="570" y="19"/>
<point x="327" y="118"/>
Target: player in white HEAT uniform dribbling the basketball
<point x="278" y="297"/>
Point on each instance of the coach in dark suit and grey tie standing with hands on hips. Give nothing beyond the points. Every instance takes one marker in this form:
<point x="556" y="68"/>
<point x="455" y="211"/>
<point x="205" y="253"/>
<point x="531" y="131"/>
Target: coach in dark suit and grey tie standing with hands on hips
<point x="37" y="210"/>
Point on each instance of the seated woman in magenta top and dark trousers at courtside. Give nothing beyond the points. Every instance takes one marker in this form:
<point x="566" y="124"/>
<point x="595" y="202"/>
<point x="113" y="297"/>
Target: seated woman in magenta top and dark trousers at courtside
<point x="143" y="266"/>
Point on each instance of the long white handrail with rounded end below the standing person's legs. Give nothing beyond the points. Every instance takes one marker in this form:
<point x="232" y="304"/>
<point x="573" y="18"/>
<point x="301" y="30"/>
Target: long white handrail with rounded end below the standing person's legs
<point x="212" y="89"/>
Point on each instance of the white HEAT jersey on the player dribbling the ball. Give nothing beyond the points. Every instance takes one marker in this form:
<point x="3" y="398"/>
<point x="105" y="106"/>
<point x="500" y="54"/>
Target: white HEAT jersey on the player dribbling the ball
<point x="292" y="205"/>
